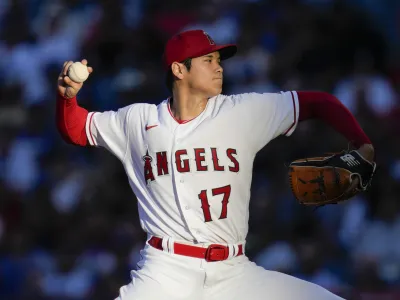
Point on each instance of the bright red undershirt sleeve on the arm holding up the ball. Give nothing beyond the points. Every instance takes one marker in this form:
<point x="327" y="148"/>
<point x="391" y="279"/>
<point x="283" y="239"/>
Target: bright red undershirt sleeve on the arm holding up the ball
<point x="71" y="120"/>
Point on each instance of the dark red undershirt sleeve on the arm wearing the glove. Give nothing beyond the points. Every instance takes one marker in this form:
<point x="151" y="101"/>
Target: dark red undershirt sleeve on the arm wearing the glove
<point x="328" y="108"/>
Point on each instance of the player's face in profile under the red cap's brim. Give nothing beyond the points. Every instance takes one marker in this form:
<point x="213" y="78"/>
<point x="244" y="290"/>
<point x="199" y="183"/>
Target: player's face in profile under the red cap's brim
<point x="206" y="75"/>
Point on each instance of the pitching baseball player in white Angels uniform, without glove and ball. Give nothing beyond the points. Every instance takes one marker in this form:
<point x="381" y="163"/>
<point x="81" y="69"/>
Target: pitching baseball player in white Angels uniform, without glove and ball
<point x="189" y="162"/>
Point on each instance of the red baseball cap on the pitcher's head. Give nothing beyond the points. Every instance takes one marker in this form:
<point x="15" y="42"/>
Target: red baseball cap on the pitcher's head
<point x="191" y="44"/>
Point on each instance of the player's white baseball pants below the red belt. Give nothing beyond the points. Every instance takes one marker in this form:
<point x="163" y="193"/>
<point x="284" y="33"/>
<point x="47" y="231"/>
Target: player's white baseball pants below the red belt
<point x="174" y="277"/>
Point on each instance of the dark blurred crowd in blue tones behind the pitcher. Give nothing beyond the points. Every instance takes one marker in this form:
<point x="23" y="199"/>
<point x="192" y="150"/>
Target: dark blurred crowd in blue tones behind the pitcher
<point x="69" y="228"/>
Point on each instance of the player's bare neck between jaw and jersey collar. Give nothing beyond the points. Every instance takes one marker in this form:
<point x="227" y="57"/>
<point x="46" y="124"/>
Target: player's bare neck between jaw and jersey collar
<point x="185" y="107"/>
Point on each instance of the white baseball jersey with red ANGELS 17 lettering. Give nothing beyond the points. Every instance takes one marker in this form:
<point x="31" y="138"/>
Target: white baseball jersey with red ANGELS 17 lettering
<point x="192" y="180"/>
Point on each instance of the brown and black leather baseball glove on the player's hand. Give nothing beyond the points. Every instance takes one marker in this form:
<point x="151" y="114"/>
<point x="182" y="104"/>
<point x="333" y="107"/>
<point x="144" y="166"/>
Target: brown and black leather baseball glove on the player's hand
<point x="325" y="180"/>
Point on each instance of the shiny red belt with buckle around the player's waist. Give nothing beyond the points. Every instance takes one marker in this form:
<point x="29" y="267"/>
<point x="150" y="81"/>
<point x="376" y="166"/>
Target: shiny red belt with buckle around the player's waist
<point x="214" y="252"/>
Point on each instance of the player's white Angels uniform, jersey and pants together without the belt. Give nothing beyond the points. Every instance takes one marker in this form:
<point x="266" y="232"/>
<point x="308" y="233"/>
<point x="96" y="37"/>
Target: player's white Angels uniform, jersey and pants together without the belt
<point x="192" y="182"/>
